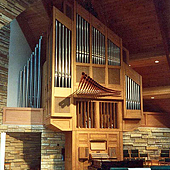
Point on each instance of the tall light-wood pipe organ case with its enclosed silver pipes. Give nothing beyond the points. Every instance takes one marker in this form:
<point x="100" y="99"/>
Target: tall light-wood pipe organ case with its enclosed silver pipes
<point x="93" y="124"/>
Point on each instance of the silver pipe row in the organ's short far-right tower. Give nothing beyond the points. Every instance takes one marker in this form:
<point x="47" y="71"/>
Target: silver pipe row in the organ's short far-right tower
<point x="132" y="94"/>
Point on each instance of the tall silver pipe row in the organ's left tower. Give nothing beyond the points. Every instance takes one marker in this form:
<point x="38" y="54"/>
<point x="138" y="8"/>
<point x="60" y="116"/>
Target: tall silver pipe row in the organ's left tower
<point x="63" y="56"/>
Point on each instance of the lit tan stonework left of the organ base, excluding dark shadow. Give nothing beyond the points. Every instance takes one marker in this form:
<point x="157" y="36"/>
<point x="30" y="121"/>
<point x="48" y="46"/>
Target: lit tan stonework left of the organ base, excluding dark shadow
<point x="51" y="147"/>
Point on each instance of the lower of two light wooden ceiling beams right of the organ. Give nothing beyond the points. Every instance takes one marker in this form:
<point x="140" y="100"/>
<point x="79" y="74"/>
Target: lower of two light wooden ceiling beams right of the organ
<point x="162" y="92"/>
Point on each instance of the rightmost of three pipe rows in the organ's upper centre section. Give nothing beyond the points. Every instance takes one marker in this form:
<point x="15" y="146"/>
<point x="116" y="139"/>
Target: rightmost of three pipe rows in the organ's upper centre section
<point x="113" y="53"/>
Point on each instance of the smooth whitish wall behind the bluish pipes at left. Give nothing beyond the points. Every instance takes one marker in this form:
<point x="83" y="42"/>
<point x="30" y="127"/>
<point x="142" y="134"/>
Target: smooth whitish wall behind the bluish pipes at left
<point x="19" y="52"/>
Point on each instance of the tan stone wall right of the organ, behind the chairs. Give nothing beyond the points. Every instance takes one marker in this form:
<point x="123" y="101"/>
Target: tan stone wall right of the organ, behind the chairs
<point x="147" y="140"/>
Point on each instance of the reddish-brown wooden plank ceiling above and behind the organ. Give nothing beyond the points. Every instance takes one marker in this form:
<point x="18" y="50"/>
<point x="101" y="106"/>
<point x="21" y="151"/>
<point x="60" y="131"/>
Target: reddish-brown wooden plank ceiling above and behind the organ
<point x="143" y="25"/>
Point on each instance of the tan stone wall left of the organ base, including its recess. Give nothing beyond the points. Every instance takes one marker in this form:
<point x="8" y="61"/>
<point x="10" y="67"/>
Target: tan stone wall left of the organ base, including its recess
<point x="51" y="144"/>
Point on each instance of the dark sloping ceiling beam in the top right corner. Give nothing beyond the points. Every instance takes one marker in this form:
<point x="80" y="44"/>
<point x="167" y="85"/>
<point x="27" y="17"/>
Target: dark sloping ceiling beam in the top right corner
<point x="160" y="7"/>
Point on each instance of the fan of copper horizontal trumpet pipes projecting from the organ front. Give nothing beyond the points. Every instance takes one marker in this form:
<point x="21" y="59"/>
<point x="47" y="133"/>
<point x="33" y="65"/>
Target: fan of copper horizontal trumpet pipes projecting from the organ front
<point x="89" y="86"/>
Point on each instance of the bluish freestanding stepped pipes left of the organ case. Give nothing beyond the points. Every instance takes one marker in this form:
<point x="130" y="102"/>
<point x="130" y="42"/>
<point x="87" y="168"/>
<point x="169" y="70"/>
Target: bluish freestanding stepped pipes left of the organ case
<point x="30" y="80"/>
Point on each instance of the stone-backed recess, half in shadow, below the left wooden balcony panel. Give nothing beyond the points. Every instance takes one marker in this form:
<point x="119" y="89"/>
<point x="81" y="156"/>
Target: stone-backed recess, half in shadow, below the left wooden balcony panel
<point x="23" y="150"/>
